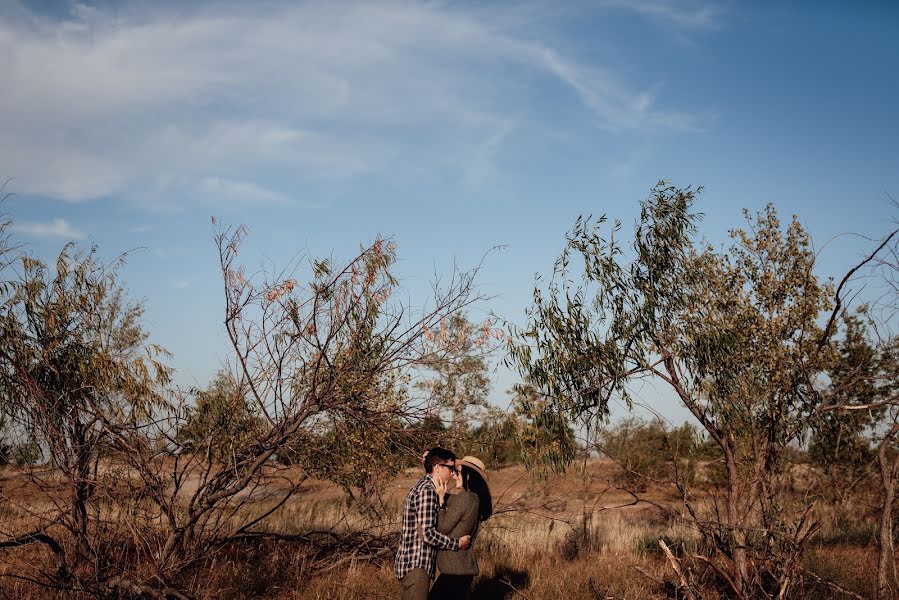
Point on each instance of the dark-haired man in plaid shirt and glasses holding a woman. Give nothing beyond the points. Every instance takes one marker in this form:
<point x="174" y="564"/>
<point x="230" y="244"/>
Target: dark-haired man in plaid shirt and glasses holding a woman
<point x="417" y="557"/>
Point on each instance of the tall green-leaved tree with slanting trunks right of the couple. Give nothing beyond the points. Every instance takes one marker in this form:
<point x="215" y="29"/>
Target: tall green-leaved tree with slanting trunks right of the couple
<point x="733" y="334"/>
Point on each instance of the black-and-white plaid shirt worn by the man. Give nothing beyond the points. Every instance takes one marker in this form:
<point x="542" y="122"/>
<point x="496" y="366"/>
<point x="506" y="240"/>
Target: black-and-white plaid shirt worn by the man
<point x="421" y="540"/>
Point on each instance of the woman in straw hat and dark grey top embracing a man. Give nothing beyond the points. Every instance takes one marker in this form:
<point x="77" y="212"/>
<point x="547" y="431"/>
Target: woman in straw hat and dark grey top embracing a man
<point x="465" y="507"/>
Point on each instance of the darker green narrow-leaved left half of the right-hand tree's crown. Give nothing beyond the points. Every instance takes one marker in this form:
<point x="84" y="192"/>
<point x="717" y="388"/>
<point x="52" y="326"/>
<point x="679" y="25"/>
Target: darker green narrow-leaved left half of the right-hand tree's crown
<point x="584" y="340"/>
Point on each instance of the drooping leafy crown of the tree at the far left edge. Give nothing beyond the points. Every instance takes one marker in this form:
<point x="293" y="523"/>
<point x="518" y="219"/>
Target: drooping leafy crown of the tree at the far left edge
<point x="74" y="354"/>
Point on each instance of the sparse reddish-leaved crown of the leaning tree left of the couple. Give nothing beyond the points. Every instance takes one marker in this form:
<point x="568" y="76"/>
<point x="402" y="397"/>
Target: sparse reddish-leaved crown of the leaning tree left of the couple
<point x="329" y="362"/>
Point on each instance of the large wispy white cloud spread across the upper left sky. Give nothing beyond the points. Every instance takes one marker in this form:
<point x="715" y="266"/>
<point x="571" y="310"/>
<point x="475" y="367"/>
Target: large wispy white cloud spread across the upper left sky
<point x="216" y="100"/>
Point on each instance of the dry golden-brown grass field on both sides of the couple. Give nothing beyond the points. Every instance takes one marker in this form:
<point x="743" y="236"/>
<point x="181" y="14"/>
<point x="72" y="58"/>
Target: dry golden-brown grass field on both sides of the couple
<point x="574" y="536"/>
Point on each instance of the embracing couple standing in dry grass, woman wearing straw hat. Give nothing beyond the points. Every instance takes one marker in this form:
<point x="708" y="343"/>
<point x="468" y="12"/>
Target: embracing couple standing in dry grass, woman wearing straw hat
<point x="440" y="523"/>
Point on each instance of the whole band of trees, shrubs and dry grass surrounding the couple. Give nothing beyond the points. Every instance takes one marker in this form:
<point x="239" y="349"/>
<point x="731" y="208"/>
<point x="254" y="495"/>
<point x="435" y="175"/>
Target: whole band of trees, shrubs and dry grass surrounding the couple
<point x="284" y="477"/>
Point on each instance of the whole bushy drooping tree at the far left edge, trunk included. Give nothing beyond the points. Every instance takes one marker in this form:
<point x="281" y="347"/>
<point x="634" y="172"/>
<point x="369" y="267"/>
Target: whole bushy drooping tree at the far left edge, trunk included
<point x="74" y="362"/>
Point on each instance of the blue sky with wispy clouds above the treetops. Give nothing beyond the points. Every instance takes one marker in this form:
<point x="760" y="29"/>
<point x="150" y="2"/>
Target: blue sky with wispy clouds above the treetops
<point x="452" y="126"/>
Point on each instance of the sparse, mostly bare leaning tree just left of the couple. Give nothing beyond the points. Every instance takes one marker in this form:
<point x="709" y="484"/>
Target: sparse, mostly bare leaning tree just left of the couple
<point x="332" y="354"/>
